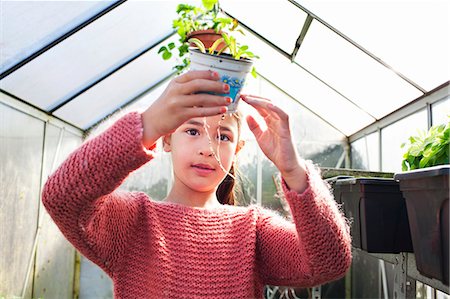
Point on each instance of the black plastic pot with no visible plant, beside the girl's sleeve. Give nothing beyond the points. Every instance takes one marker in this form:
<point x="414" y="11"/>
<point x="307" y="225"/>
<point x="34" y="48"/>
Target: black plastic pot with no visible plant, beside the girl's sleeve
<point x="378" y="214"/>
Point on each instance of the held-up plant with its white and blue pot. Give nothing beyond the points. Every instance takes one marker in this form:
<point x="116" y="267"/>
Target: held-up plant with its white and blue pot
<point x="206" y="43"/>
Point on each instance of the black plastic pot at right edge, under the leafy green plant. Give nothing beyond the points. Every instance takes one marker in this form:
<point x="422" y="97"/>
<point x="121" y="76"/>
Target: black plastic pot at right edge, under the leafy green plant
<point x="426" y="192"/>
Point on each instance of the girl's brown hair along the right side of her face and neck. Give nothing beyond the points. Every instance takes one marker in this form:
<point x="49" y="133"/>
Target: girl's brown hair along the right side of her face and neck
<point x="225" y="192"/>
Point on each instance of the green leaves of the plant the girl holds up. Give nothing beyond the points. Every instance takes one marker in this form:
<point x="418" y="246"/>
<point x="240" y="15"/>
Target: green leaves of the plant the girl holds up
<point x="192" y="18"/>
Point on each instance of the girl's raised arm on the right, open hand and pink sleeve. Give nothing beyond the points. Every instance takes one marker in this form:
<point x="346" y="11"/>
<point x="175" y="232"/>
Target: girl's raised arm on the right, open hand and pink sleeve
<point x="316" y="248"/>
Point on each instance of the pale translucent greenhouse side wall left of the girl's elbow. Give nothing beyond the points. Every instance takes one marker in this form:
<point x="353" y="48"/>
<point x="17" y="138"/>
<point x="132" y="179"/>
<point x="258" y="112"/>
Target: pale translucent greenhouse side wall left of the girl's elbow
<point x="35" y="259"/>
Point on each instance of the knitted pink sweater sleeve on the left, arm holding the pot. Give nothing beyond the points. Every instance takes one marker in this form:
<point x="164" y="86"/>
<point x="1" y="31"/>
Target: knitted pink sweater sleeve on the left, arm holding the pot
<point x="81" y="195"/>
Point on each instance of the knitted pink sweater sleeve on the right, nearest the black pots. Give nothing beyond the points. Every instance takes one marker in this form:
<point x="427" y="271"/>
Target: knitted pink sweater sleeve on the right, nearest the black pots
<point x="314" y="249"/>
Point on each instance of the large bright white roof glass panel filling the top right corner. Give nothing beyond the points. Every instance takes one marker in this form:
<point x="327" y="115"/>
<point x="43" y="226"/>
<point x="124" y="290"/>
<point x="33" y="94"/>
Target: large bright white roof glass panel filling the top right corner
<point x="411" y="37"/>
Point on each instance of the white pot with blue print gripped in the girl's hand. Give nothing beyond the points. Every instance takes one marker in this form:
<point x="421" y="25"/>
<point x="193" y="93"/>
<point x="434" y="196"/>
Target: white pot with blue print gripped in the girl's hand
<point x="231" y="71"/>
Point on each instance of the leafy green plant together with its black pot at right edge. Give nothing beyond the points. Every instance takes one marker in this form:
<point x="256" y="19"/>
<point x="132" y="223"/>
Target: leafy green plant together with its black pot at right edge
<point x="424" y="183"/>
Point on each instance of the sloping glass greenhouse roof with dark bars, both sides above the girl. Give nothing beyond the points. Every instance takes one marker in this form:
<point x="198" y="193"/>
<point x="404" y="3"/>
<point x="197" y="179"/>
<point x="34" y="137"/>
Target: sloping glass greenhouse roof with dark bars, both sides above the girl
<point x="349" y="62"/>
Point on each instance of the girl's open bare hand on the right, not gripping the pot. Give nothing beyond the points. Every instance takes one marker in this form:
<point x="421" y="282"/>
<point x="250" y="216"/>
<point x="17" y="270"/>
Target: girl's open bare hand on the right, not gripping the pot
<point x="276" y="142"/>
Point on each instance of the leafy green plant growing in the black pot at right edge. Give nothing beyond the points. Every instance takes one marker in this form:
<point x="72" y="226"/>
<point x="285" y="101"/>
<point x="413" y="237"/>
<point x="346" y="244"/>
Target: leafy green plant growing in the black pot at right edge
<point x="427" y="148"/>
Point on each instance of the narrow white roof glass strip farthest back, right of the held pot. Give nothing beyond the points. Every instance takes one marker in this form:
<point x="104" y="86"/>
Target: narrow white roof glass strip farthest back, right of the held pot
<point x="309" y="91"/>
